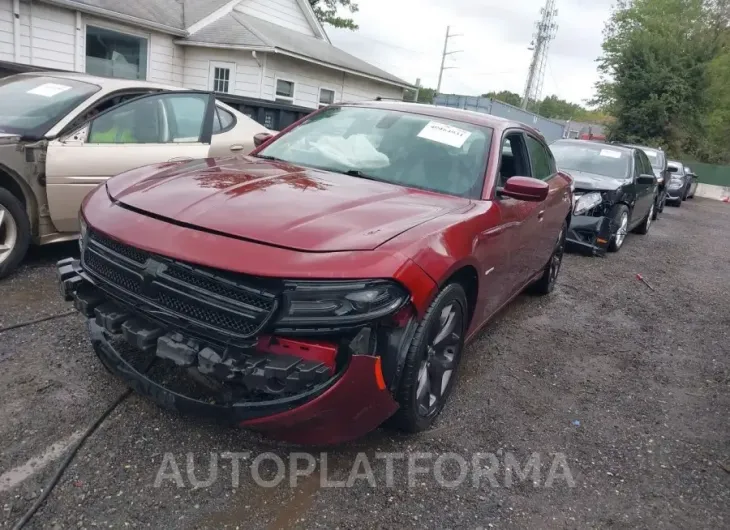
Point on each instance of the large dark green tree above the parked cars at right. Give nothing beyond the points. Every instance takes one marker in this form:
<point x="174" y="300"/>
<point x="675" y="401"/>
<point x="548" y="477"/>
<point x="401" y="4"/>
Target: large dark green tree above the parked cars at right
<point x="656" y="54"/>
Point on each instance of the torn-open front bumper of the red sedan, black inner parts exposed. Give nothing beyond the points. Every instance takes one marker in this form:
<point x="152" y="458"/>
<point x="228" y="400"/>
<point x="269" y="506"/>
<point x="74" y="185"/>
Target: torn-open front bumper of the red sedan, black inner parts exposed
<point x="308" y="392"/>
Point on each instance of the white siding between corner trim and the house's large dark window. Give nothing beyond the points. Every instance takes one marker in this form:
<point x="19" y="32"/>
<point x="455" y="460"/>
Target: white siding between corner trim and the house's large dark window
<point x="52" y="30"/>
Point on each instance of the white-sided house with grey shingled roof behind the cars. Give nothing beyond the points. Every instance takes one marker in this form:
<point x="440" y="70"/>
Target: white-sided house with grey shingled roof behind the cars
<point x="265" y="49"/>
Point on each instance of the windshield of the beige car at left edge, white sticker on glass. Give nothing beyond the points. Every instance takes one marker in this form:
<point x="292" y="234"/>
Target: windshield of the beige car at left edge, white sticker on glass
<point x="31" y="105"/>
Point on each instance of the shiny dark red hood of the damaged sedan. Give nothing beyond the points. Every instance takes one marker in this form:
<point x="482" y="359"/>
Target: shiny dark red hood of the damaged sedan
<point x="278" y="203"/>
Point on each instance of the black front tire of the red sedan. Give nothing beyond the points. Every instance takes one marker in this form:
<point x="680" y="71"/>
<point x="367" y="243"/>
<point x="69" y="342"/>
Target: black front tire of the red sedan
<point x="410" y="416"/>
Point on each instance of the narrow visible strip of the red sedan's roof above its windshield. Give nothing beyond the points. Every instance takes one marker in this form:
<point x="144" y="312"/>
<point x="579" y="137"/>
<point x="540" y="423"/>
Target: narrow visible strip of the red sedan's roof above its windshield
<point x="447" y="113"/>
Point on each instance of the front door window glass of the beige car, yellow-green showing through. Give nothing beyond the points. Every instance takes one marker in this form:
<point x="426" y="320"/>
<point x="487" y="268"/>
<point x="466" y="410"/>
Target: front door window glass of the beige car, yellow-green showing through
<point x="159" y="119"/>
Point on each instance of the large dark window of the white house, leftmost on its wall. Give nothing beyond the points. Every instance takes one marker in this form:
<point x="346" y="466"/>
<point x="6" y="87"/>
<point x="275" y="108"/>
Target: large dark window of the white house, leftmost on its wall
<point x="115" y="54"/>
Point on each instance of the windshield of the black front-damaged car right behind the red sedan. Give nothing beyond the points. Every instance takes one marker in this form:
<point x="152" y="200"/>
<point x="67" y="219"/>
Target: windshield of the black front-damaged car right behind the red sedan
<point x="593" y="158"/>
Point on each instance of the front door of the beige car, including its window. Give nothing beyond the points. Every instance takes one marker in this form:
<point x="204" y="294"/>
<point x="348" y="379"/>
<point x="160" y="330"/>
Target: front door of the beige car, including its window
<point x="154" y="128"/>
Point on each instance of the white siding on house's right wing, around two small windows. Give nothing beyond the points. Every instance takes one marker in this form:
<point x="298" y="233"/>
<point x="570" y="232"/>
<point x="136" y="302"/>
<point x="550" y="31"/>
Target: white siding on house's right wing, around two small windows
<point x="309" y="78"/>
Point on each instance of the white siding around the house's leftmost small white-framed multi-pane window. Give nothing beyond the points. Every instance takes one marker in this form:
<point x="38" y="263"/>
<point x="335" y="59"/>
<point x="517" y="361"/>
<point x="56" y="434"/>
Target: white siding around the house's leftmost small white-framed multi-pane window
<point x="197" y="70"/>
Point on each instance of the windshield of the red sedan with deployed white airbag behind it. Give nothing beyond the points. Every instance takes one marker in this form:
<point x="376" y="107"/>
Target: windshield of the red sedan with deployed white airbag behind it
<point x="412" y="150"/>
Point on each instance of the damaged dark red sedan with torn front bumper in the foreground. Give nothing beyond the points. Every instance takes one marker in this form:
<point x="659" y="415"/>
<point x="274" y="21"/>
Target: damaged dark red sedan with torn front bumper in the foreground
<point x="328" y="282"/>
